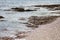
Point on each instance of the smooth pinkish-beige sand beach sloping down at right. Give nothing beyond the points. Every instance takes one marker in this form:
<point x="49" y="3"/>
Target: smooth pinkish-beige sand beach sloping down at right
<point x="46" y="32"/>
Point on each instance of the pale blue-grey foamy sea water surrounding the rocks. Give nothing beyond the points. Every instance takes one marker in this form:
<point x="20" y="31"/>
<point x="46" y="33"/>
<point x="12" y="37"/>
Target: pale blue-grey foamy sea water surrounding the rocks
<point x="12" y="22"/>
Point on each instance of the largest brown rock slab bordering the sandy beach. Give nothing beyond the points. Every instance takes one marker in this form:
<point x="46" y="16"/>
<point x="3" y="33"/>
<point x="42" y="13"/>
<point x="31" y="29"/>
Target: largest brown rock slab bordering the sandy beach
<point x="41" y="20"/>
